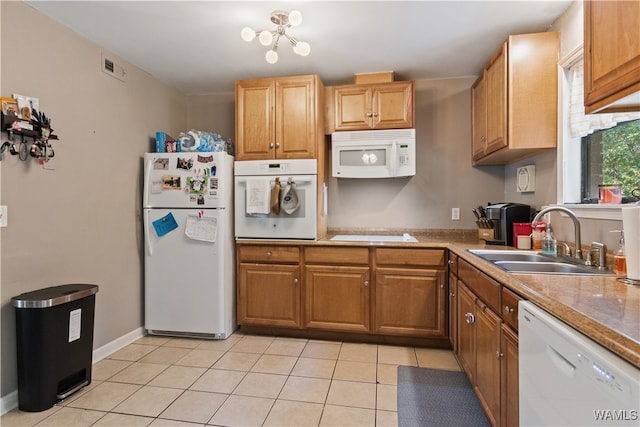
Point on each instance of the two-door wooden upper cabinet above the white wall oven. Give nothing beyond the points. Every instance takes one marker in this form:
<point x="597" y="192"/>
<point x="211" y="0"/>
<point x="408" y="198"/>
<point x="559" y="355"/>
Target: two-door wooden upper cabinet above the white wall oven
<point x="278" y="118"/>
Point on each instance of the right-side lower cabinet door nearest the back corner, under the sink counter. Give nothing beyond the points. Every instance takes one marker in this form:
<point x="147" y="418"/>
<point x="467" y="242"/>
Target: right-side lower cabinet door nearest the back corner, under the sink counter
<point x="466" y="330"/>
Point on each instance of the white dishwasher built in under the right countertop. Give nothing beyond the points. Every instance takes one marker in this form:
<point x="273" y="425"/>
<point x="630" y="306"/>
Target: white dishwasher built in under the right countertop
<point x="566" y="379"/>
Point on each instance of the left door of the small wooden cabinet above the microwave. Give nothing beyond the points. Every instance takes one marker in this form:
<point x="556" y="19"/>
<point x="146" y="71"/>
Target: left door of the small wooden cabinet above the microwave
<point x="352" y="107"/>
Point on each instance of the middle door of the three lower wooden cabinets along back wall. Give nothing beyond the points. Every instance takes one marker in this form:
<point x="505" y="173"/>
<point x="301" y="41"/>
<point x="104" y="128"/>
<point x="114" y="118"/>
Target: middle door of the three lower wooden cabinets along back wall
<point x="337" y="298"/>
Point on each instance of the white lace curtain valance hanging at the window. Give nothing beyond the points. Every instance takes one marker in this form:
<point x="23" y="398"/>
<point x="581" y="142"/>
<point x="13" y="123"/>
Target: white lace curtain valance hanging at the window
<point x="582" y="124"/>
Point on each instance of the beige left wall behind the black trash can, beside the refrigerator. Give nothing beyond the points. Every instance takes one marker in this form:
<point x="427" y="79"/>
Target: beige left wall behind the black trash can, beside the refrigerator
<point x="80" y="222"/>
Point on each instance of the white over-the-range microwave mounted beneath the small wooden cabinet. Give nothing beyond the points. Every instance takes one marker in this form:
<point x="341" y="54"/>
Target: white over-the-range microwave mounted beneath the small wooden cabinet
<point x="374" y="153"/>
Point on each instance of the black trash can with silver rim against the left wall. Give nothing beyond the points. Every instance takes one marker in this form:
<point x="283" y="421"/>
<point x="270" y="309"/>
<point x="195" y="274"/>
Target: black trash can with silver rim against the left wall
<point x="54" y="330"/>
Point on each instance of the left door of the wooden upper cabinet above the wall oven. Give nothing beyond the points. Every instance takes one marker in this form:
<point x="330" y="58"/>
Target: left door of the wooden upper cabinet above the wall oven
<point x="255" y="129"/>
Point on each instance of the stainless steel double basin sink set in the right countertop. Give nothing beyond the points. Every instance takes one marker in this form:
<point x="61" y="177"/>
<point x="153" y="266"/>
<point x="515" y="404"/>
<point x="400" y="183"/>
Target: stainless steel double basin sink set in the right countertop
<point x="531" y="262"/>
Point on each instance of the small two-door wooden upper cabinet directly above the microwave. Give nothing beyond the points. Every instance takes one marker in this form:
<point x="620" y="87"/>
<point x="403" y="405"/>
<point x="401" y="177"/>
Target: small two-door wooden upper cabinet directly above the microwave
<point x="371" y="106"/>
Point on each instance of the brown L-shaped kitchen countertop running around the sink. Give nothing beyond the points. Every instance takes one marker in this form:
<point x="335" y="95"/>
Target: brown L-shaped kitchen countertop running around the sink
<point x="602" y="308"/>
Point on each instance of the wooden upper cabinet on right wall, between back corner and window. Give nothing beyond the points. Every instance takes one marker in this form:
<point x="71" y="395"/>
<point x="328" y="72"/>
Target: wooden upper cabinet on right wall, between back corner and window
<point x="514" y="101"/>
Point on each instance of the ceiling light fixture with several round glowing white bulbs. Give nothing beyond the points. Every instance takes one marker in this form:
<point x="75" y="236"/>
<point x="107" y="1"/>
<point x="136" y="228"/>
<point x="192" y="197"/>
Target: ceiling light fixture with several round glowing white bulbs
<point x="283" y="20"/>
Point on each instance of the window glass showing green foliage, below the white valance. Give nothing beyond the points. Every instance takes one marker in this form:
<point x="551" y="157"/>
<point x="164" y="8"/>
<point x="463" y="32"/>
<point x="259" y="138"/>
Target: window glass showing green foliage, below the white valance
<point x="611" y="156"/>
